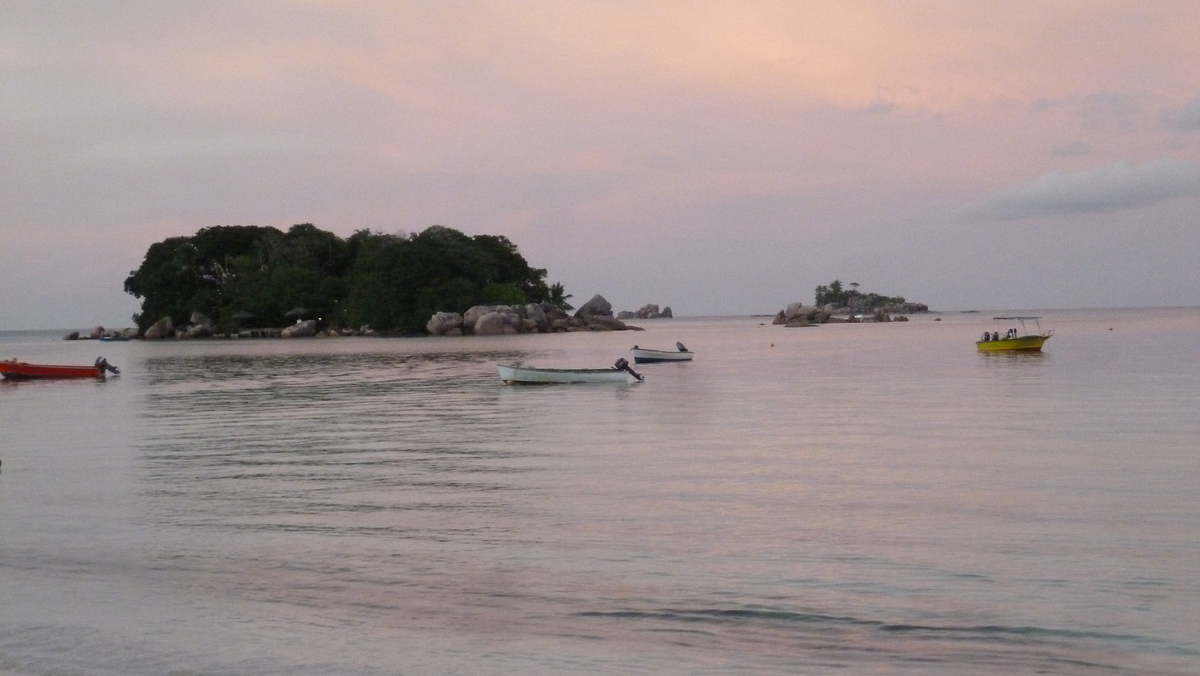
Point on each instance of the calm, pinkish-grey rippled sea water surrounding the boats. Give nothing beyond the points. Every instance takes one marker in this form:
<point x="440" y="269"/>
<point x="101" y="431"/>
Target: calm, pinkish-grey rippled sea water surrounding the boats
<point x="874" y="499"/>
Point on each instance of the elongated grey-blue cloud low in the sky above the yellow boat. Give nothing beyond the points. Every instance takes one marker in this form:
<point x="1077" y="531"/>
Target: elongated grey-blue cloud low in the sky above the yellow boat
<point x="1109" y="189"/>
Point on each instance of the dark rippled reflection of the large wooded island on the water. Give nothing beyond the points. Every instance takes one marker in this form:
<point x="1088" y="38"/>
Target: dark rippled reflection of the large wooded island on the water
<point x="331" y="444"/>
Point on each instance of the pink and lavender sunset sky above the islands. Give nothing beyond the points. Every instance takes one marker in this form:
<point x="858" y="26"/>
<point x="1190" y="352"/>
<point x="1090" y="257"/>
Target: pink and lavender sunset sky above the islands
<point x="722" y="158"/>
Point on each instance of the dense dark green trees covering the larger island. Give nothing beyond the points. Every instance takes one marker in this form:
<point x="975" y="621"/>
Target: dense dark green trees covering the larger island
<point x="260" y="277"/>
